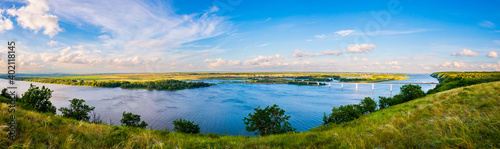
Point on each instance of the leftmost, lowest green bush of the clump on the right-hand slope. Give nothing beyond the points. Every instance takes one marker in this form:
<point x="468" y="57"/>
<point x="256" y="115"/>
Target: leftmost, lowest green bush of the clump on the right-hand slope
<point x="342" y="114"/>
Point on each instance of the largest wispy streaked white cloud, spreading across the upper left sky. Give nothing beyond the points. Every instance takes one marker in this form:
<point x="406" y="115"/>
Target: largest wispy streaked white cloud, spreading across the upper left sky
<point x="142" y="24"/>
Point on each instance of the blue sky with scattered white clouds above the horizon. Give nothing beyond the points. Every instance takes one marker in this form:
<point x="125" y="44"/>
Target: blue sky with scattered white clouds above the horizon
<point x="152" y="36"/>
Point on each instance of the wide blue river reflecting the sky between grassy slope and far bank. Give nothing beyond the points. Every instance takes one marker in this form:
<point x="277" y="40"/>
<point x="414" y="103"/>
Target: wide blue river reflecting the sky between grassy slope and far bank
<point x="220" y="108"/>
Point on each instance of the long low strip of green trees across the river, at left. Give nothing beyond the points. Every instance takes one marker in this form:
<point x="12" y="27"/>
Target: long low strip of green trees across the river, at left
<point x="151" y="85"/>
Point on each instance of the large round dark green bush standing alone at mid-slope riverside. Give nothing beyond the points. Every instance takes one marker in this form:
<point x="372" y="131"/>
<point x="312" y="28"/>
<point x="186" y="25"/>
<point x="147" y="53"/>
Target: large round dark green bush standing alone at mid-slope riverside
<point x="270" y="120"/>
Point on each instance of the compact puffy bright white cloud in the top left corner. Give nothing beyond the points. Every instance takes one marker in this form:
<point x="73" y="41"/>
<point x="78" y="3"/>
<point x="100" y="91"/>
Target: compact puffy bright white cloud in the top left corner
<point x="34" y="16"/>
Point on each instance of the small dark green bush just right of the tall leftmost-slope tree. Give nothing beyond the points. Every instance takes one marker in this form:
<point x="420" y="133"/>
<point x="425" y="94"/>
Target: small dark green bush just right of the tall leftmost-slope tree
<point x="77" y="110"/>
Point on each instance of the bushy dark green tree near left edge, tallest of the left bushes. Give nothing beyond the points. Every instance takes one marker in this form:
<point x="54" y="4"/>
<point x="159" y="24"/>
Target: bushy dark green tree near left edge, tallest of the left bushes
<point x="38" y="99"/>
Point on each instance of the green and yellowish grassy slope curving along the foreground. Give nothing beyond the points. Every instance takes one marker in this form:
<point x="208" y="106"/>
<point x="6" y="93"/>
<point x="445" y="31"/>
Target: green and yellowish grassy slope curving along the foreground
<point x="465" y="117"/>
